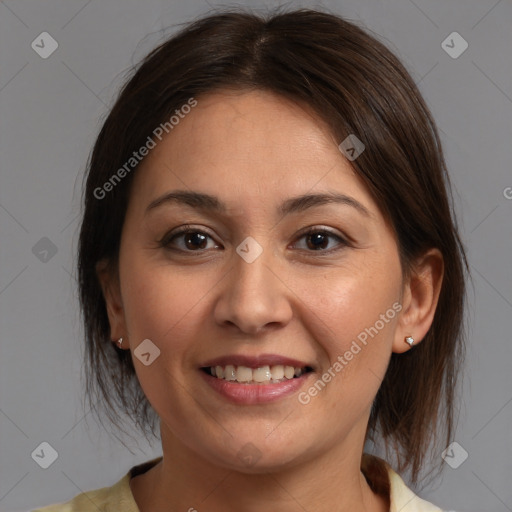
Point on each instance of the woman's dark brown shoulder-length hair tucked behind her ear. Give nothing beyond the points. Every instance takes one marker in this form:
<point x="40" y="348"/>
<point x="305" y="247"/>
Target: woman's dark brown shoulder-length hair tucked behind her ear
<point x="356" y="85"/>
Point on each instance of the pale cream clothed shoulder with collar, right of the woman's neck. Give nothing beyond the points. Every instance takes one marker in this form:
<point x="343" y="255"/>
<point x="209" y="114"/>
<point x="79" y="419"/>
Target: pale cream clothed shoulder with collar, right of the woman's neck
<point x="402" y="499"/>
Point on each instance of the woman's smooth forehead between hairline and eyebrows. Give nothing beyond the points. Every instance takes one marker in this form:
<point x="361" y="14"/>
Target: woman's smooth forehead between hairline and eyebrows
<point x="249" y="148"/>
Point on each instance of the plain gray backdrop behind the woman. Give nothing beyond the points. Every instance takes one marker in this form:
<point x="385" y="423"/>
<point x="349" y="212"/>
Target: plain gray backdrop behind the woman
<point x="50" y="112"/>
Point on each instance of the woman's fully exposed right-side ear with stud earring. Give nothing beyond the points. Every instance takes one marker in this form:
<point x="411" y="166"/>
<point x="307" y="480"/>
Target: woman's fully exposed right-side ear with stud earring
<point x="420" y="296"/>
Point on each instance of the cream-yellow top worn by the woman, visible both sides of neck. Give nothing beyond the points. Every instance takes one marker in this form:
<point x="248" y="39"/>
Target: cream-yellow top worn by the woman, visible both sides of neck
<point x="119" y="496"/>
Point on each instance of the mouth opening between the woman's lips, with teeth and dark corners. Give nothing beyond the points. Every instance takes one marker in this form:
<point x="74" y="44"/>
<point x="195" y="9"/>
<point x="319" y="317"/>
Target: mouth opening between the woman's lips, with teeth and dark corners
<point x="263" y="375"/>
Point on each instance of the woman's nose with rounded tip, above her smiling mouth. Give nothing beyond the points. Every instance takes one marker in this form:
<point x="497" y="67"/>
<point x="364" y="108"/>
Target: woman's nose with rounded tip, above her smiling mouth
<point x="253" y="297"/>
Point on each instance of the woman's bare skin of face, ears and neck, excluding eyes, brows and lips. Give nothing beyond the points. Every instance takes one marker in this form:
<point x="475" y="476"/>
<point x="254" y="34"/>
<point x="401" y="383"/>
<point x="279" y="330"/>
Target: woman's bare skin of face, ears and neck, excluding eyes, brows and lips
<point x="254" y="150"/>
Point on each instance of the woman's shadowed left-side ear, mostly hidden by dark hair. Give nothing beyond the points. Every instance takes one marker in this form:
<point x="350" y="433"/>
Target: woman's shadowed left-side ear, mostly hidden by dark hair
<point x="109" y="282"/>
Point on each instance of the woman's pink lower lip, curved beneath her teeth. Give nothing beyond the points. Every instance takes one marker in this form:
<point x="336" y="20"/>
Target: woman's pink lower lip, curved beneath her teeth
<point x="255" y="393"/>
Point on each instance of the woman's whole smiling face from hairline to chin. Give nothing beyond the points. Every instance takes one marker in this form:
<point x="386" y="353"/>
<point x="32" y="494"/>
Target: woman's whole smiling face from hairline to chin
<point x="328" y="301"/>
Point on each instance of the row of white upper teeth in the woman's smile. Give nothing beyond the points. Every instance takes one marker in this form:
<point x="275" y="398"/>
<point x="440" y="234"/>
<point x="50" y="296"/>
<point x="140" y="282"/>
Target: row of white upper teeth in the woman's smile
<point x="264" y="374"/>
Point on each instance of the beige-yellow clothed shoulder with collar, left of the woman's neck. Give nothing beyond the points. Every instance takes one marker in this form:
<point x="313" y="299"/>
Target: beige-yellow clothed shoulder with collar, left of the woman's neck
<point x="107" y="499"/>
